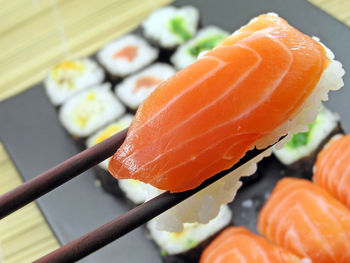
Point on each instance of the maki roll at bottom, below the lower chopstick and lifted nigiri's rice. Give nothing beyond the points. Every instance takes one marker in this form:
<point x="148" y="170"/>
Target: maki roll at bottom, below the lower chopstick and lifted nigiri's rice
<point x="187" y="246"/>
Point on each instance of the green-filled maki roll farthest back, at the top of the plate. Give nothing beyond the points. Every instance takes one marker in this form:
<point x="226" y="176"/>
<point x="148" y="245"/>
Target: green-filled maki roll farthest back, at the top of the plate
<point x="171" y="26"/>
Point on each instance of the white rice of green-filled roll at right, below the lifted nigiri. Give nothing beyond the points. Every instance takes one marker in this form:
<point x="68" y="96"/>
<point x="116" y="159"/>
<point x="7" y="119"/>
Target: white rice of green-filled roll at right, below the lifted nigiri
<point x="327" y="121"/>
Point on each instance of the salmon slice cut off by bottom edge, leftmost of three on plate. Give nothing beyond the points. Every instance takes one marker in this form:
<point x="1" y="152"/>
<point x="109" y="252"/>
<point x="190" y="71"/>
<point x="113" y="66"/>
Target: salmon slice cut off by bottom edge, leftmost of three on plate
<point x="237" y="244"/>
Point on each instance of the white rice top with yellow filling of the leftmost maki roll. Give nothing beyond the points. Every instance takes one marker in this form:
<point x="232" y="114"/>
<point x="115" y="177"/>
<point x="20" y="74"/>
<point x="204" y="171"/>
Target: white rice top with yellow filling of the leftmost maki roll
<point x="69" y="77"/>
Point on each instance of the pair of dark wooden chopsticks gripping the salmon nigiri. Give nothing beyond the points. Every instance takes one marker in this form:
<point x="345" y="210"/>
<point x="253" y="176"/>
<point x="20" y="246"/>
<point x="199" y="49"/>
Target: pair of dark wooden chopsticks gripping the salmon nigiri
<point x="67" y="170"/>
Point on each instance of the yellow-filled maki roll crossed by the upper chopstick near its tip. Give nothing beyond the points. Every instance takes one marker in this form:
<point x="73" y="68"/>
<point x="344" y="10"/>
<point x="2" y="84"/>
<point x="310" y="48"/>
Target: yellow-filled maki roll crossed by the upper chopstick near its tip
<point x="109" y="184"/>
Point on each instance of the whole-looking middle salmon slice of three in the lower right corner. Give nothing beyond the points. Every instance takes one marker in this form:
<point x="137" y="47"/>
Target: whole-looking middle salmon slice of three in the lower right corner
<point x="306" y="220"/>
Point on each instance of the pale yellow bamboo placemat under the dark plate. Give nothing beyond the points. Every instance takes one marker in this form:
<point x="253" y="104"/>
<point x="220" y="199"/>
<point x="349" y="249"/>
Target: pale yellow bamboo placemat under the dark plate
<point x="34" y="35"/>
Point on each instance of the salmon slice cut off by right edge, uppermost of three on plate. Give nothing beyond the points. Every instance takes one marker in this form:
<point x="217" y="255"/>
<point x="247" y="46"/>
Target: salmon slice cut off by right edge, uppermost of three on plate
<point x="332" y="169"/>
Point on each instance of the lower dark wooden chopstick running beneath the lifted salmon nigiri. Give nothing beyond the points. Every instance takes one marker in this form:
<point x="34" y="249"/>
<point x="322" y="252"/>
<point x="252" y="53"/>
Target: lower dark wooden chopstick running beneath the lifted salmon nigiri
<point x="134" y="218"/>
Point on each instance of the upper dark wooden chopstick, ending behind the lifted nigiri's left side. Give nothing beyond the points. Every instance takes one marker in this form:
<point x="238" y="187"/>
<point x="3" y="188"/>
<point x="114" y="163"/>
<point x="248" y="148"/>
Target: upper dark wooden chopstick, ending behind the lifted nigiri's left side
<point x="58" y="175"/>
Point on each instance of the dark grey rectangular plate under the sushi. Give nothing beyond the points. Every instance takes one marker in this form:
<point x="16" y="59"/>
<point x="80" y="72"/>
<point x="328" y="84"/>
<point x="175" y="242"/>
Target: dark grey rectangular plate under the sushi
<point x="36" y="141"/>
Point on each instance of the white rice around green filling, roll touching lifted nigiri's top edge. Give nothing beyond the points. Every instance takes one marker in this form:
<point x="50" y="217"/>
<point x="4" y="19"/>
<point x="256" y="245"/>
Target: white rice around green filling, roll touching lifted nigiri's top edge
<point x="183" y="57"/>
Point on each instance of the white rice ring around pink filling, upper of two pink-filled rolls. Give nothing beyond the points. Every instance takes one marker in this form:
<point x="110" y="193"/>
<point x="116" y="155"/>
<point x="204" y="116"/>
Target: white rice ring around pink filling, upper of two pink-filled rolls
<point x="122" y="66"/>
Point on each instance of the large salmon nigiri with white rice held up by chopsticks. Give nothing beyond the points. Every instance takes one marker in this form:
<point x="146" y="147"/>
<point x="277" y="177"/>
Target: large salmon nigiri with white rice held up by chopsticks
<point x="263" y="81"/>
